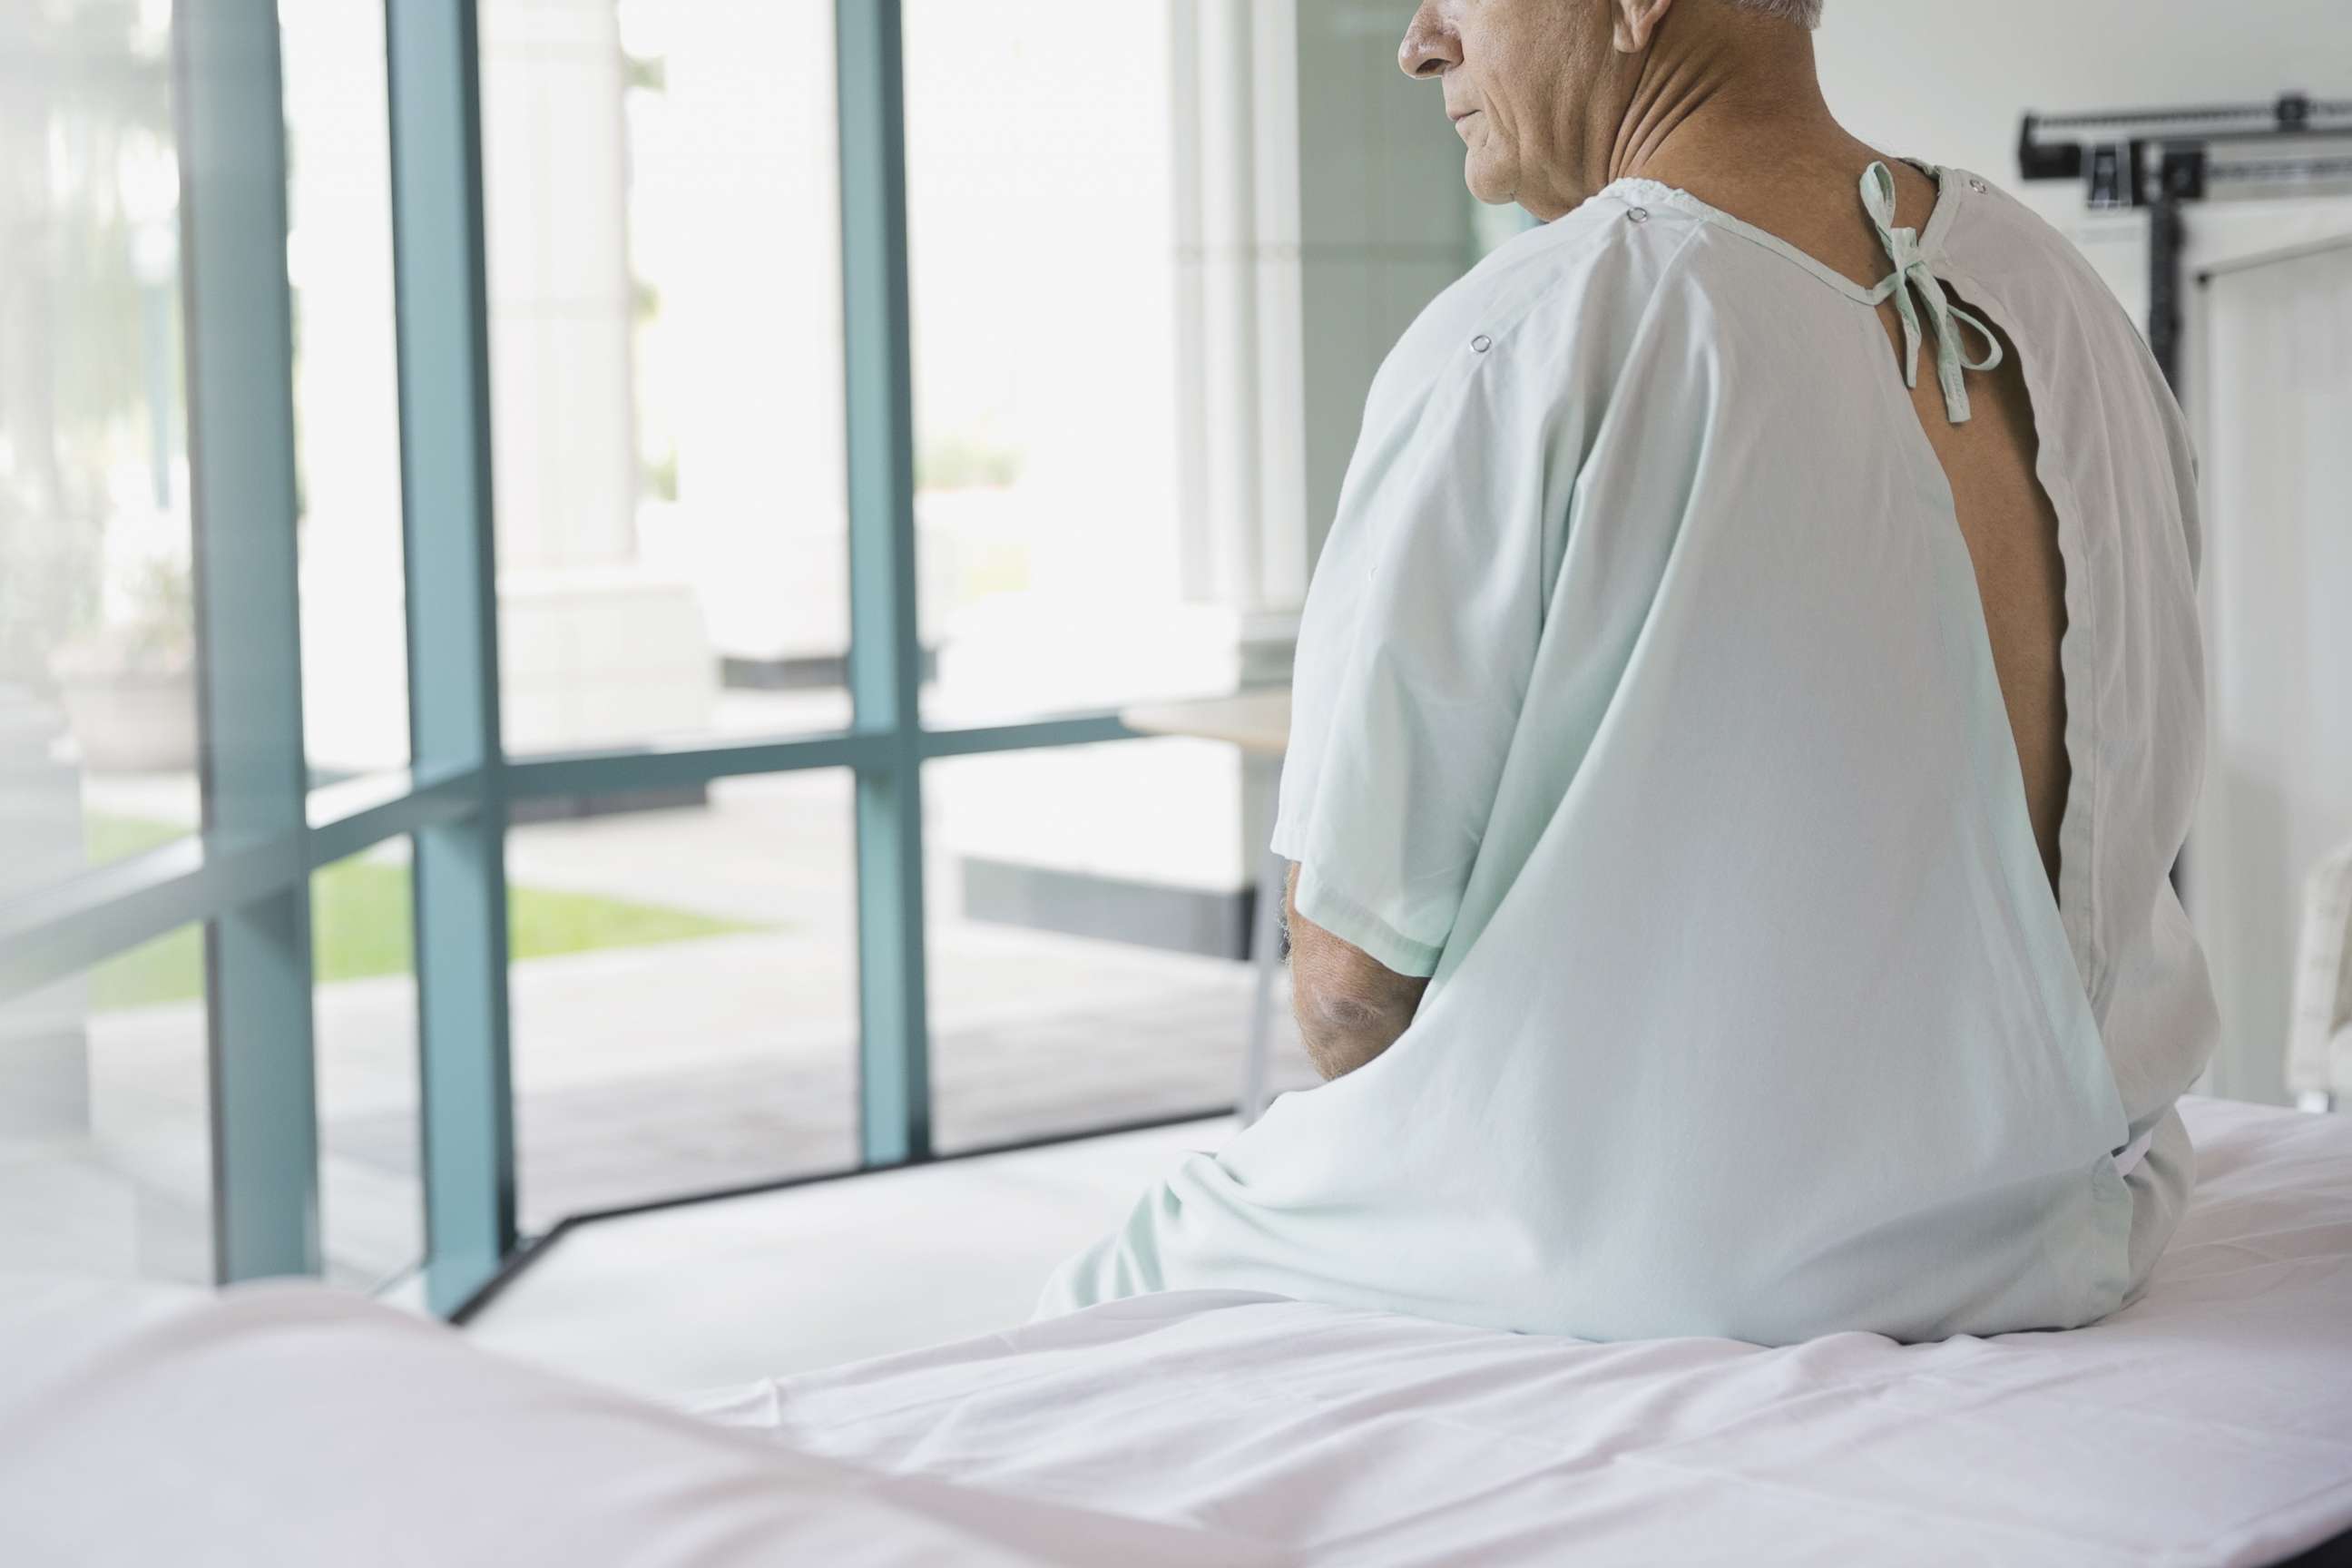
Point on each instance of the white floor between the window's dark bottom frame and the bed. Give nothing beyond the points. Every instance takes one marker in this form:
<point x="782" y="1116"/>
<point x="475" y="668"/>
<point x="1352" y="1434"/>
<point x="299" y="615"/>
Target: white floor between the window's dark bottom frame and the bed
<point x="784" y="1282"/>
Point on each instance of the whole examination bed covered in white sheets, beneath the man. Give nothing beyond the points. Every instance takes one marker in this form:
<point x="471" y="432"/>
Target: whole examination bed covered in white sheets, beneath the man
<point x="2207" y="1423"/>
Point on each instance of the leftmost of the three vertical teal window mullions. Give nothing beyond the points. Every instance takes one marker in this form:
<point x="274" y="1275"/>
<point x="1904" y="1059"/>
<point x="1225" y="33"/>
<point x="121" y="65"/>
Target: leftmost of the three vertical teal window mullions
<point x="241" y="460"/>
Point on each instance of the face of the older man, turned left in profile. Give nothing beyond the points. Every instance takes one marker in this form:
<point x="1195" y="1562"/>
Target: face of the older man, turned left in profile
<point x="1518" y="83"/>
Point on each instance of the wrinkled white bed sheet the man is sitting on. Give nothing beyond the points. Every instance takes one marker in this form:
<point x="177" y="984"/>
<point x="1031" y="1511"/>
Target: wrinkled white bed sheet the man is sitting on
<point x="2207" y="1423"/>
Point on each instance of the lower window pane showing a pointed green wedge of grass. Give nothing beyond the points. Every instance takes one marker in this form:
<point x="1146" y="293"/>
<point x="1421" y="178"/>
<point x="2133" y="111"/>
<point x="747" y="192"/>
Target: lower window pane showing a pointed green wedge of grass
<point x="683" y="993"/>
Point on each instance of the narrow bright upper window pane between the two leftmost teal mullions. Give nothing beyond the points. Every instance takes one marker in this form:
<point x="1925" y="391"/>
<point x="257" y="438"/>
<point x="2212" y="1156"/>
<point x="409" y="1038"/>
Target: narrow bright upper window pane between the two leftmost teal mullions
<point x="347" y="394"/>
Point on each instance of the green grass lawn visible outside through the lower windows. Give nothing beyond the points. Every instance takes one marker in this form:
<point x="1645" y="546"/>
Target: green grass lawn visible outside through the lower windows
<point x="361" y="925"/>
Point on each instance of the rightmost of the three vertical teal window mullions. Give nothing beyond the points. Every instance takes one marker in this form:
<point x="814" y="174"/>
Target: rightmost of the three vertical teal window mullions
<point x="886" y="657"/>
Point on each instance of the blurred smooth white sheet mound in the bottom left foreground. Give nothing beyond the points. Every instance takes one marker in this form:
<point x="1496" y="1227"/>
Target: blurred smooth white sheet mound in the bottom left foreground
<point x="300" y="1428"/>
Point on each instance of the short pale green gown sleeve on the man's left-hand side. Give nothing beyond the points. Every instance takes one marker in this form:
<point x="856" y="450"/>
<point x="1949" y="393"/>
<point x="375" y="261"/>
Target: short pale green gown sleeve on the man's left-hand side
<point x="1415" y="652"/>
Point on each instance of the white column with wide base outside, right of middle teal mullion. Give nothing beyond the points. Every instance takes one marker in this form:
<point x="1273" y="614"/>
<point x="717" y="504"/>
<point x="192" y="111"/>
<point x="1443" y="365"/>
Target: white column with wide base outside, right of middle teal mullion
<point x="596" y="648"/>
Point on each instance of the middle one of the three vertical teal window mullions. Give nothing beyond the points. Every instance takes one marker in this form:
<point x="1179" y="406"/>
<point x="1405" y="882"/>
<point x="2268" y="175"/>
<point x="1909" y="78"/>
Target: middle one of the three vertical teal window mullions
<point x="453" y="624"/>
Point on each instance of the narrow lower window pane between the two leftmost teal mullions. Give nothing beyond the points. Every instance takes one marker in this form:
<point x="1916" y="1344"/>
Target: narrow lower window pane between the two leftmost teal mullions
<point x="363" y="965"/>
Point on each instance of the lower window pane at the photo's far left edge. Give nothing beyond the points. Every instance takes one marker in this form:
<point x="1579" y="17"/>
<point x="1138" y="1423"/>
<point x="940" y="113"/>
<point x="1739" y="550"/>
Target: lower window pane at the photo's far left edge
<point x="105" y="1120"/>
